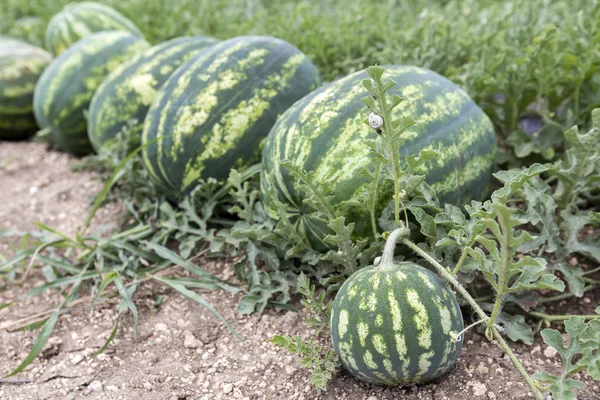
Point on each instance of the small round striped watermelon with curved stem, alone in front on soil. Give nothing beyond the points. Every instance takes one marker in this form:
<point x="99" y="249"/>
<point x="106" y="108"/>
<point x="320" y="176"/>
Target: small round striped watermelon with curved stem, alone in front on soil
<point x="396" y="323"/>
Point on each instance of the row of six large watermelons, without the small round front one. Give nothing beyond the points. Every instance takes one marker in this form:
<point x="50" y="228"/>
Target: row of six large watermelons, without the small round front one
<point x="209" y="106"/>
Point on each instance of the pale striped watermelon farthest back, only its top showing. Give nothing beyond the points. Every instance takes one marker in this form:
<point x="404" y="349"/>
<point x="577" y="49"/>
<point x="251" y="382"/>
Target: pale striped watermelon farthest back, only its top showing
<point x="78" y="20"/>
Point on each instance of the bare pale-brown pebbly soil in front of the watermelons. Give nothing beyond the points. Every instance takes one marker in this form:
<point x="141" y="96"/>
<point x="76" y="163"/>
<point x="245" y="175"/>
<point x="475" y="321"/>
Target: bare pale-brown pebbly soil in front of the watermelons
<point x="182" y="351"/>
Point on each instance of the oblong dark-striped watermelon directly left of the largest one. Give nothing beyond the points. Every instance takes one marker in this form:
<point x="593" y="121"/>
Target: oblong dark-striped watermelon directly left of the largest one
<point x="215" y="111"/>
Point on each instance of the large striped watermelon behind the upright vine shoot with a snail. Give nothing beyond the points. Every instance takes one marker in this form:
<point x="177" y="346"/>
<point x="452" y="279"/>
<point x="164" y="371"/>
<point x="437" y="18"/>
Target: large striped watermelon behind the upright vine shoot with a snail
<point x="324" y="132"/>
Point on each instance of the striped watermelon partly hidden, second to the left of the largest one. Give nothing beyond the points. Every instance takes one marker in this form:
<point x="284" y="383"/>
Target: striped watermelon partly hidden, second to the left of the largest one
<point x="129" y="90"/>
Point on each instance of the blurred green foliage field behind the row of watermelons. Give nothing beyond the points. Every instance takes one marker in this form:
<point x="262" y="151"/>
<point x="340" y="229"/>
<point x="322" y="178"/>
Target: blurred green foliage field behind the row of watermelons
<point x="535" y="58"/>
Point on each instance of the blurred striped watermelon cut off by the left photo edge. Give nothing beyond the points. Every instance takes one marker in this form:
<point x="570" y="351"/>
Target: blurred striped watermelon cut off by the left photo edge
<point x="20" y="67"/>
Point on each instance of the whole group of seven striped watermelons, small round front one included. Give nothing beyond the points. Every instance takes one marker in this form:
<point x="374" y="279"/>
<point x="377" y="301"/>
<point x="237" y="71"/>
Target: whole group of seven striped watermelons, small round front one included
<point x="204" y="107"/>
